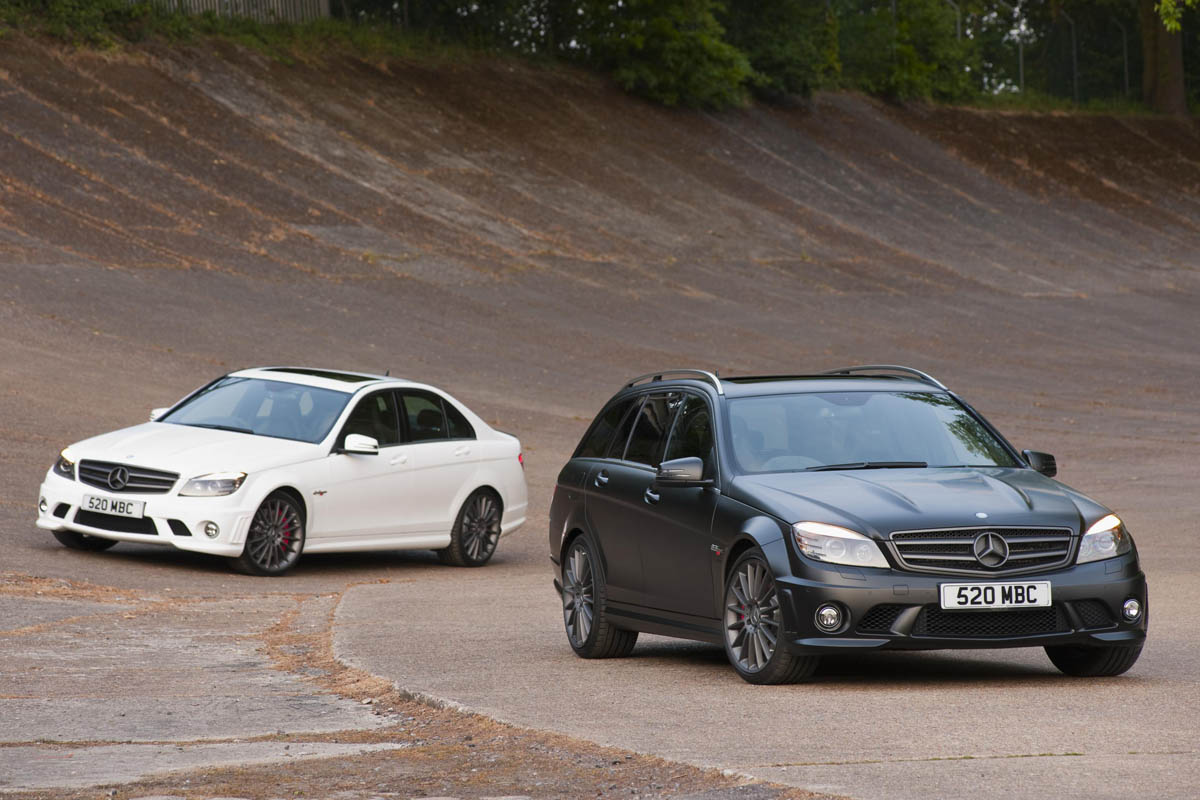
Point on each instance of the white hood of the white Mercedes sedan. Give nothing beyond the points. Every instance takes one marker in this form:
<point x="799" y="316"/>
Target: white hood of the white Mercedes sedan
<point x="194" y="452"/>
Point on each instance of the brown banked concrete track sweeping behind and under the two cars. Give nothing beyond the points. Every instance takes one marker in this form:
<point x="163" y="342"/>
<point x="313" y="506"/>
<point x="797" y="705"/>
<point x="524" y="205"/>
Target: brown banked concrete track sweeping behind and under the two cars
<point x="530" y="238"/>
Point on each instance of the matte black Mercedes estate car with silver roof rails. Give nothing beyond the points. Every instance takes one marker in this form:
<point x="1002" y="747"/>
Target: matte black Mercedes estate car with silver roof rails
<point x="867" y="508"/>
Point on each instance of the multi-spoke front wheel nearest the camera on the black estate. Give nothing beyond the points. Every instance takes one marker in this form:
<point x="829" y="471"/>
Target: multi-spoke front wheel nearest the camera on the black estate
<point x="754" y="624"/>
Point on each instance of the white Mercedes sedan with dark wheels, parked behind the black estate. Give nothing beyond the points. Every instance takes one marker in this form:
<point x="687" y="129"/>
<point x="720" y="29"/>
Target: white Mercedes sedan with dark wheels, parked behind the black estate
<point x="265" y="465"/>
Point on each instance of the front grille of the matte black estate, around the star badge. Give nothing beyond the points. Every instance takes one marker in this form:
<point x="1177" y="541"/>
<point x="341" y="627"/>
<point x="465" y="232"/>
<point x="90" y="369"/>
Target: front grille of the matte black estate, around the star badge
<point x="953" y="551"/>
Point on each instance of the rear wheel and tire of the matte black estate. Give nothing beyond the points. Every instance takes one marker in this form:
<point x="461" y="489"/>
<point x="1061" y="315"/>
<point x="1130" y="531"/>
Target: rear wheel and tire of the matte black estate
<point x="590" y="631"/>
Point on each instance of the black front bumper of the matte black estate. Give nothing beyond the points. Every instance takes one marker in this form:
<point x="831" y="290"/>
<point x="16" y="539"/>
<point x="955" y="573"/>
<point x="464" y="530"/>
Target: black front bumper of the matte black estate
<point x="890" y="610"/>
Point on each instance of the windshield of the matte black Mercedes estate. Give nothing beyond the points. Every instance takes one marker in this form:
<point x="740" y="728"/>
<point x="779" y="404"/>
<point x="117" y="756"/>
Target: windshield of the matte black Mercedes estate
<point x="819" y="431"/>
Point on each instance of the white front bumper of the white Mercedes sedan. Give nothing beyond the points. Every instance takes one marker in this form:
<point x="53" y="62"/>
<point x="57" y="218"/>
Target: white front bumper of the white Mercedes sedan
<point x="169" y="519"/>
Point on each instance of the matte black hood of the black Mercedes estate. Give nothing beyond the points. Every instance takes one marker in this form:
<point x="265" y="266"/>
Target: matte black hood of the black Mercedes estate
<point x="878" y="502"/>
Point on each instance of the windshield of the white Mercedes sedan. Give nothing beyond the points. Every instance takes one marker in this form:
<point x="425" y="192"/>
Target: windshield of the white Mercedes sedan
<point x="266" y="408"/>
